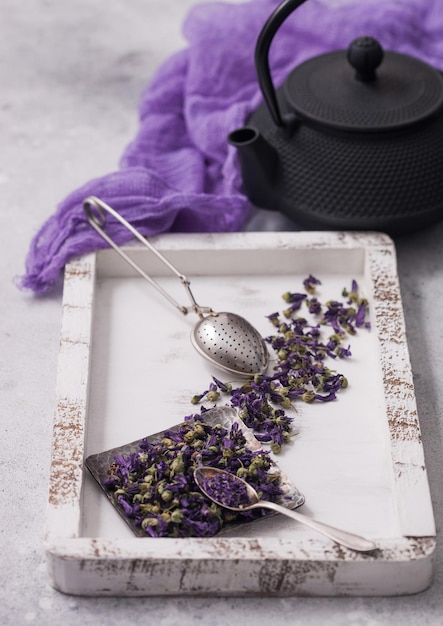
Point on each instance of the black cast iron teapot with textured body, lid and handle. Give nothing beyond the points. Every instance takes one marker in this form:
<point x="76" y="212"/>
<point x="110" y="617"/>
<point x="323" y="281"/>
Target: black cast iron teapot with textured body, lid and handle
<point x="352" y="140"/>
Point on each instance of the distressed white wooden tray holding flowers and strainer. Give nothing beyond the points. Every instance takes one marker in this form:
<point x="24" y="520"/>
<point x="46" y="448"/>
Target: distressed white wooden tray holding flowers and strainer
<point x="127" y="369"/>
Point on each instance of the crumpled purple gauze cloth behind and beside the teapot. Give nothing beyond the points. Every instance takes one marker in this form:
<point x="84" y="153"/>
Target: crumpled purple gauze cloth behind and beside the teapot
<point x="179" y="174"/>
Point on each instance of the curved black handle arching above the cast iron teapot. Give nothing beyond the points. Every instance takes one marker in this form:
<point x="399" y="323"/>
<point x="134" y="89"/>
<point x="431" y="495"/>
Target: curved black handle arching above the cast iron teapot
<point x="262" y="55"/>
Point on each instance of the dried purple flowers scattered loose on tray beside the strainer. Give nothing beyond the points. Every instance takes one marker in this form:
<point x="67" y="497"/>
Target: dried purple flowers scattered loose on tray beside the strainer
<point x="301" y="372"/>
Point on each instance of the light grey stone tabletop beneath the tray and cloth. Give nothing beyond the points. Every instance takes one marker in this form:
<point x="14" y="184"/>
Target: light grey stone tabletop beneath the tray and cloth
<point x="57" y="132"/>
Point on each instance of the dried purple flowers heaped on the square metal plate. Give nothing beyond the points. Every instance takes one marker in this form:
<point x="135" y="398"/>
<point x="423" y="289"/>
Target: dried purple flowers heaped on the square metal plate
<point x="155" y="486"/>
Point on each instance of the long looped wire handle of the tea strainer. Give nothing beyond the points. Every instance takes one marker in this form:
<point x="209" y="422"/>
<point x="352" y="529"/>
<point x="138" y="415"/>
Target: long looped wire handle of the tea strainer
<point x="95" y="208"/>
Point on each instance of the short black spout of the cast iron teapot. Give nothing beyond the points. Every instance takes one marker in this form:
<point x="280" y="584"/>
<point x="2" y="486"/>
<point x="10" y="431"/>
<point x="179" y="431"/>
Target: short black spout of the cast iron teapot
<point x="258" y="162"/>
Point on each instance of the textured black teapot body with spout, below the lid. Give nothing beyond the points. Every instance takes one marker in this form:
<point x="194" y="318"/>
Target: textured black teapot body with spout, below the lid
<point x="323" y="179"/>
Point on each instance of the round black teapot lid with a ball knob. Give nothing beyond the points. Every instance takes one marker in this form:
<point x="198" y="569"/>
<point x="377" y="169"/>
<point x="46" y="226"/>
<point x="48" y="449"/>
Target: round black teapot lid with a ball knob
<point x="375" y="91"/>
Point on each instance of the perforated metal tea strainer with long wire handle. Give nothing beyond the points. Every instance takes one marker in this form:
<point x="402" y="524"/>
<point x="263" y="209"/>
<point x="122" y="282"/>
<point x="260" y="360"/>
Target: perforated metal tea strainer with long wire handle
<point x="225" y="339"/>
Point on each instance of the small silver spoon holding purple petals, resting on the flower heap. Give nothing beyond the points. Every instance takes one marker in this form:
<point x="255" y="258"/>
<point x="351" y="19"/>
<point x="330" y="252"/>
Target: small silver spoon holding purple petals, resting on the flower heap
<point x="221" y="492"/>
